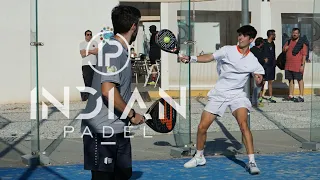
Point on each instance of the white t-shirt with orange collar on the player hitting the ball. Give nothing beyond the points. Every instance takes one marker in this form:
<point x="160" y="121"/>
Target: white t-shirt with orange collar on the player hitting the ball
<point x="234" y="70"/>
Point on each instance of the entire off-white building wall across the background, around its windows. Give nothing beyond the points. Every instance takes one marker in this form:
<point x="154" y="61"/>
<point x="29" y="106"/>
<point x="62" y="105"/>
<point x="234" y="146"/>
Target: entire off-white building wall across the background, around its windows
<point x="61" y="29"/>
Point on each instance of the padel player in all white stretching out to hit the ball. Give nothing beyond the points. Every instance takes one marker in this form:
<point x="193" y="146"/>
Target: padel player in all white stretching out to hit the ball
<point x="234" y="65"/>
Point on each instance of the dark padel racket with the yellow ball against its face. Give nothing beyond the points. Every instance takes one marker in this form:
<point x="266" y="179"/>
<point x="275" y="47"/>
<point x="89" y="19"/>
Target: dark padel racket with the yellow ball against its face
<point x="168" y="42"/>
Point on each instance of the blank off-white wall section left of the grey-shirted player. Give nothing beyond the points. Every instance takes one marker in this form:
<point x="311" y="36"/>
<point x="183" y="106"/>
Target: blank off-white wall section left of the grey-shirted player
<point x="61" y="27"/>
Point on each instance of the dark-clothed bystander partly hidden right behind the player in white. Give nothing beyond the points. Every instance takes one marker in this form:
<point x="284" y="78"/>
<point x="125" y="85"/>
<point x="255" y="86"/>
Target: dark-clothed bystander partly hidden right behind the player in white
<point x="258" y="53"/>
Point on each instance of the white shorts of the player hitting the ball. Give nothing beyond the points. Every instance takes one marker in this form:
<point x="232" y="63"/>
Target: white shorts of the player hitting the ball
<point x="218" y="103"/>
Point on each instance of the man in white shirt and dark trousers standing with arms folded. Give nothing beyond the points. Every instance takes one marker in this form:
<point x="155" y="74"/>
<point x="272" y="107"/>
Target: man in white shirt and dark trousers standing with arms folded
<point x="90" y="56"/>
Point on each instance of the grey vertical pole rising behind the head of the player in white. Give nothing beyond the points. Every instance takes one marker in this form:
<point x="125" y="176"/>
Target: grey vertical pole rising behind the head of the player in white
<point x="245" y="21"/>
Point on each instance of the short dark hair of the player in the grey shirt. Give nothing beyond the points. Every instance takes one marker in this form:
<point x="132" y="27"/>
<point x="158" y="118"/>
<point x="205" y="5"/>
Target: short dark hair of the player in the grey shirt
<point x="123" y="17"/>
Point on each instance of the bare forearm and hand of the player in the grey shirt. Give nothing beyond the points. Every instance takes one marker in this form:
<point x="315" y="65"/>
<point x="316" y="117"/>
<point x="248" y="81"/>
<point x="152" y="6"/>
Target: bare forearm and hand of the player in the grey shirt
<point x="119" y="103"/>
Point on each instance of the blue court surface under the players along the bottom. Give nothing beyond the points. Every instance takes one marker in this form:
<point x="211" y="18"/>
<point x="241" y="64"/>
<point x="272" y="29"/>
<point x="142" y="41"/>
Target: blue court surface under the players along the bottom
<point x="280" y="166"/>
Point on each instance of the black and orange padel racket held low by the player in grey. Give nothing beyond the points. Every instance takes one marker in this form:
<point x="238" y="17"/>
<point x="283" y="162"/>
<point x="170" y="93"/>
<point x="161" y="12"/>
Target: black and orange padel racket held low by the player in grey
<point x="163" y="124"/>
